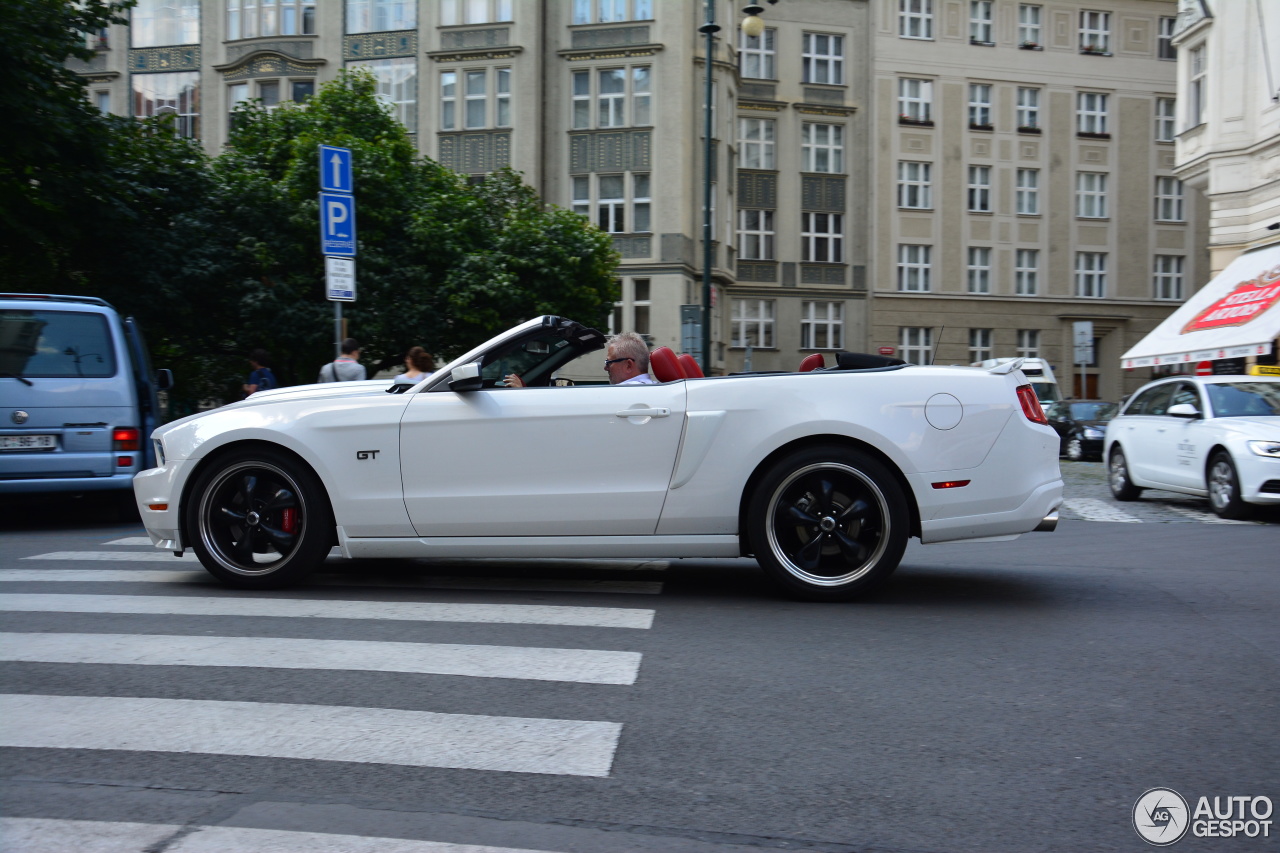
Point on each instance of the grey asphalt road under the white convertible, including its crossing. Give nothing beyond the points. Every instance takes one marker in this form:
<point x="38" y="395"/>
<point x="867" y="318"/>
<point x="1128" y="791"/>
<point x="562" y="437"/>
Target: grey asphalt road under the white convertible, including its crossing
<point x="993" y="697"/>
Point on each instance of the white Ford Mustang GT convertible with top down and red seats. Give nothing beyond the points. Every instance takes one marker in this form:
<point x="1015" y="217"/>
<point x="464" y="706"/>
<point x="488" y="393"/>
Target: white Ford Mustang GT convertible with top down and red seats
<point x="822" y="476"/>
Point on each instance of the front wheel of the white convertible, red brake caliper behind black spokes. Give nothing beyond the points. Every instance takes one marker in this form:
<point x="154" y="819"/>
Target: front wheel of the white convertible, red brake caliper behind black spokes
<point x="259" y="519"/>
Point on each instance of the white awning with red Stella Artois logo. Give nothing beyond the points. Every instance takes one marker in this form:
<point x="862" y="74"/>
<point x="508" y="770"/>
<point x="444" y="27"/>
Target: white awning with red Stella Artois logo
<point x="1236" y="316"/>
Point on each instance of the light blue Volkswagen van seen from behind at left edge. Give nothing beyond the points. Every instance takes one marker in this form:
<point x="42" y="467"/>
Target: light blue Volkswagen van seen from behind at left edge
<point x="77" y="396"/>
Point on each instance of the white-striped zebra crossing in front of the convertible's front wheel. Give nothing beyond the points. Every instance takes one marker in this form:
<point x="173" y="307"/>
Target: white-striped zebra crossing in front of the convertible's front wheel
<point x="118" y="578"/>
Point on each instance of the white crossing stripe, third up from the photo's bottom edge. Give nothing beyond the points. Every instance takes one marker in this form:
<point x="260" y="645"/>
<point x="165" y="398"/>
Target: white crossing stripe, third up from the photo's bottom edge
<point x="579" y="665"/>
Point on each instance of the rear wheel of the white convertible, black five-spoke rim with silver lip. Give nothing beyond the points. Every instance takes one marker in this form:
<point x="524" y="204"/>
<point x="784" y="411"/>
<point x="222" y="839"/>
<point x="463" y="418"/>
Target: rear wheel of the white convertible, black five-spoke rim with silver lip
<point x="829" y="523"/>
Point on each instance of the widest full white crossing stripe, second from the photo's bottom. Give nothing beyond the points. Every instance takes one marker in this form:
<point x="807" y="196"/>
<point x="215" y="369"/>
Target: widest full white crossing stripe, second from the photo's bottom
<point x="310" y="732"/>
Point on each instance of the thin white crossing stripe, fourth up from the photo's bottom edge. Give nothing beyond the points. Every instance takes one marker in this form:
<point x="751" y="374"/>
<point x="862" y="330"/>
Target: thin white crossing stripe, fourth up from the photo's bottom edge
<point x="248" y="605"/>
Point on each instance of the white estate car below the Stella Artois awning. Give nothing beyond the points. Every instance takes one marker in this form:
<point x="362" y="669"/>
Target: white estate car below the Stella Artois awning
<point x="1208" y="436"/>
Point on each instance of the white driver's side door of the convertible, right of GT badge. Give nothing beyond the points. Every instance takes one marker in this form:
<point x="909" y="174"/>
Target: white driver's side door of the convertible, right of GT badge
<point x="579" y="460"/>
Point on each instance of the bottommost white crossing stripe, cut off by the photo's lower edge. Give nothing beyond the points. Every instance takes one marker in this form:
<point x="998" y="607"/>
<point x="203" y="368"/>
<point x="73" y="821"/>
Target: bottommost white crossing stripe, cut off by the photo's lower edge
<point x="44" y="836"/>
